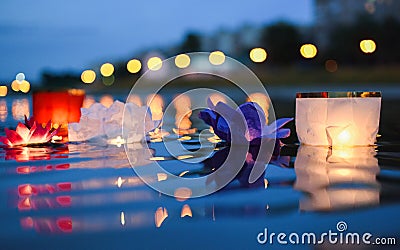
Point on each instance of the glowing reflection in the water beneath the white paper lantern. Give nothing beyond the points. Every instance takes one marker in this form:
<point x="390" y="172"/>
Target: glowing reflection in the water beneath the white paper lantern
<point x="337" y="178"/>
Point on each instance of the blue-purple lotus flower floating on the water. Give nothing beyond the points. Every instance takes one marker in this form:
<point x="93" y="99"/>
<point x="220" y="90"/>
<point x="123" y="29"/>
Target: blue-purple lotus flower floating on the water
<point x="247" y="123"/>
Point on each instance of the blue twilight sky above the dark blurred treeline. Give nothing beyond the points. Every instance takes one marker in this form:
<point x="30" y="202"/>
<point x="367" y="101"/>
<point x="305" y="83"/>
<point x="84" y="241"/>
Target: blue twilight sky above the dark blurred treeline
<point x="64" y="35"/>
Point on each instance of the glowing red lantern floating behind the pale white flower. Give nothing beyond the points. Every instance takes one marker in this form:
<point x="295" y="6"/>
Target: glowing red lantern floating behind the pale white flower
<point x="61" y="107"/>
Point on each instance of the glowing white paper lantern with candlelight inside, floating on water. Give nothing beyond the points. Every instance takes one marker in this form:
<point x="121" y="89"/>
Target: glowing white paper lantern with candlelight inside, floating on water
<point x="338" y="118"/>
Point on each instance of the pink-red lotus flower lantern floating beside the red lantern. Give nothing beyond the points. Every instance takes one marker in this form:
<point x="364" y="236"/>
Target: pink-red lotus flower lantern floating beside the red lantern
<point x="29" y="133"/>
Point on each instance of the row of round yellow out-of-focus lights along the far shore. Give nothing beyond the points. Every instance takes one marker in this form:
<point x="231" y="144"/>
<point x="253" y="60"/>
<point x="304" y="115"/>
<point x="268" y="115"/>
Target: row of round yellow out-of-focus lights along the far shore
<point x="256" y="55"/>
